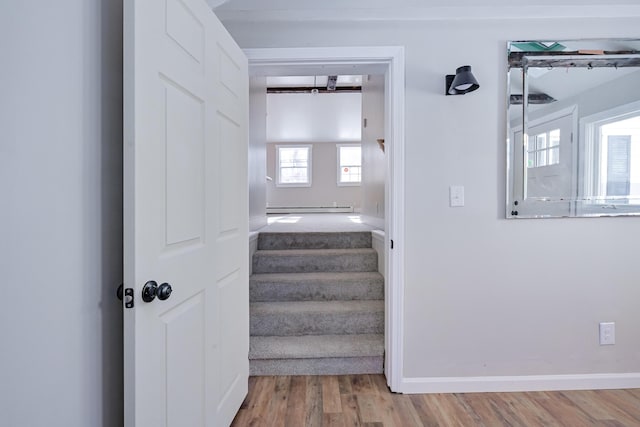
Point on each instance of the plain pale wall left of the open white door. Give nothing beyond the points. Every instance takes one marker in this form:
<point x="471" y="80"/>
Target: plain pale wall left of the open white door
<point x="60" y="214"/>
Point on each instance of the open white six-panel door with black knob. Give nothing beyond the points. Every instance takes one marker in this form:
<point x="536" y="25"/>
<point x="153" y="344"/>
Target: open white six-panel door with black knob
<point x="186" y="216"/>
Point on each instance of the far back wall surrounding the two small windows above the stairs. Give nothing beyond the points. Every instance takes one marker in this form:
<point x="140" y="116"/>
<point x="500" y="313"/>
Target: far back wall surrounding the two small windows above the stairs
<point x="324" y="190"/>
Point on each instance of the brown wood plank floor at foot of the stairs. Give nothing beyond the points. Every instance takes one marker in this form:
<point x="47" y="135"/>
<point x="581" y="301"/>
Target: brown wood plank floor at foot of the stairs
<point x="365" y="400"/>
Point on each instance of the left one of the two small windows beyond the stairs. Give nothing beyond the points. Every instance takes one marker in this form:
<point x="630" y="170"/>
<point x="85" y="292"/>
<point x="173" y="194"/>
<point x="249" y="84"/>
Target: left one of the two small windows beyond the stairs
<point x="293" y="165"/>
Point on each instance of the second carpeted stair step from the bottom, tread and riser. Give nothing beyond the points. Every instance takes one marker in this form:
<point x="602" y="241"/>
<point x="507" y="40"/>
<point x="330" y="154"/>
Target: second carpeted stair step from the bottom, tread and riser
<point x="316" y="318"/>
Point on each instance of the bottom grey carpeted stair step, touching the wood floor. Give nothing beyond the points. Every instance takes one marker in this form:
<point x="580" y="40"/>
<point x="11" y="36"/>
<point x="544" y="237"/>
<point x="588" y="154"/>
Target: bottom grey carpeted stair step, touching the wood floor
<point x="316" y="354"/>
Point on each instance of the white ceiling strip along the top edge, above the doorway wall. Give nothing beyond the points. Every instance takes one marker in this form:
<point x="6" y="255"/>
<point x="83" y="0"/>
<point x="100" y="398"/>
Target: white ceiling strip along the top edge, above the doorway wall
<point x="305" y="10"/>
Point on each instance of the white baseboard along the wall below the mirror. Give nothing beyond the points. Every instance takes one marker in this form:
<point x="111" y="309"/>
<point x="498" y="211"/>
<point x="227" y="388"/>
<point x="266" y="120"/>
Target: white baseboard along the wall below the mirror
<point x="519" y="383"/>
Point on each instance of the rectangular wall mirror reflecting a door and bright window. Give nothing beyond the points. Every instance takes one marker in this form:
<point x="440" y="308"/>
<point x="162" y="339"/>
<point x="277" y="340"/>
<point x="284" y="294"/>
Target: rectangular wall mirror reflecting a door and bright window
<point x="573" y="128"/>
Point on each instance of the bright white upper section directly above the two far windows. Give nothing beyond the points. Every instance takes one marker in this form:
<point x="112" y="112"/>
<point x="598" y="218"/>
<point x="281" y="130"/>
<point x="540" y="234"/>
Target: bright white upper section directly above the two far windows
<point x="306" y="117"/>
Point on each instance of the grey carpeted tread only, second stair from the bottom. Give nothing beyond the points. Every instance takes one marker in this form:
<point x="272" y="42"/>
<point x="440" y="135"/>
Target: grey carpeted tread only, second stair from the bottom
<point x="319" y="307"/>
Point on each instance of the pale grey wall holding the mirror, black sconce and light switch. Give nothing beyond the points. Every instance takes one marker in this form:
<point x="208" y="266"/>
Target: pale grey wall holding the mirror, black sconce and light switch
<point x="486" y="296"/>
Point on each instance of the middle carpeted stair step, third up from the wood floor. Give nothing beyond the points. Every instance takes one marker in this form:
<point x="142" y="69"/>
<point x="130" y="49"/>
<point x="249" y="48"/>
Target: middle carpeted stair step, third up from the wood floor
<point x="316" y="286"/>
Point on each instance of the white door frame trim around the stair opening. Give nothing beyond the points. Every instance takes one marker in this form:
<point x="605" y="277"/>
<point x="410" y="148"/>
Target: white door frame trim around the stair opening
<point x="387" y="60"/>
